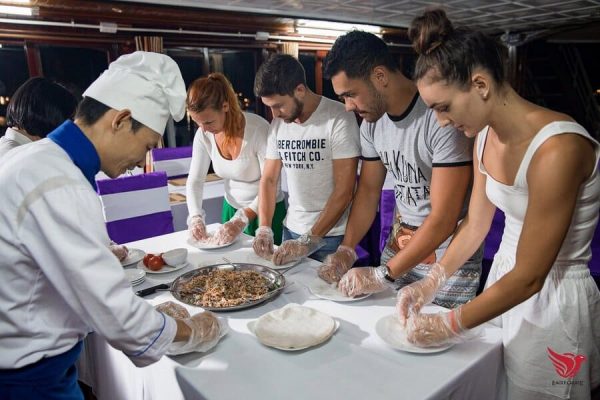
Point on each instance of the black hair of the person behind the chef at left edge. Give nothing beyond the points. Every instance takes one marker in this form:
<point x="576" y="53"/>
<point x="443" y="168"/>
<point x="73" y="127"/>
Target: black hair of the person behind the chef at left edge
<point x="39" y="106"/>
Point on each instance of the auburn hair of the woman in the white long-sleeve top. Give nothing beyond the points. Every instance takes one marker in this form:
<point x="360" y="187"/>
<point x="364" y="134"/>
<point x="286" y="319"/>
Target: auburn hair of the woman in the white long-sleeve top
<point x="211" y="92"/>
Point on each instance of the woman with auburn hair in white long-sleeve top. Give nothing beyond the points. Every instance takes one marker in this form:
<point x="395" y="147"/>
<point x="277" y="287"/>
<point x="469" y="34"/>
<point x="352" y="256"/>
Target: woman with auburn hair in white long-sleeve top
<point x="235" y="142"/>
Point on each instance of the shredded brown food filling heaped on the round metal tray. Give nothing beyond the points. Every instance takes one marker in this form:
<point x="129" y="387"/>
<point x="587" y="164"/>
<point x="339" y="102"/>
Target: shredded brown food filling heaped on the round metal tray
<point x="220" y="289"/>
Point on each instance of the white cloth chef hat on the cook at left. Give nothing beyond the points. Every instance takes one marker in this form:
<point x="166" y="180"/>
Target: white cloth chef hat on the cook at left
<point x="148" y="84"/>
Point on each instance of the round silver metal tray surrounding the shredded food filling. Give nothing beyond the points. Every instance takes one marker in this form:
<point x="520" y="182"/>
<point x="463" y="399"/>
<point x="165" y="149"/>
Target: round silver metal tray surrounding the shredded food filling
<point x="276" y="283"/>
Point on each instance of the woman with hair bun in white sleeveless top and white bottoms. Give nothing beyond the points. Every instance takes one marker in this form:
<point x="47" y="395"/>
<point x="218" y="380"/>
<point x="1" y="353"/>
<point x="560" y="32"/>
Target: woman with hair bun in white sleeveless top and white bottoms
<point x="539" y="167"/>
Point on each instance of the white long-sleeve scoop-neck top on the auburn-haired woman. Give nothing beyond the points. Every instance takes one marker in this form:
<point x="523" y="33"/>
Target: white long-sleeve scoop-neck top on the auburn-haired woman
<point x="241" y="176"/>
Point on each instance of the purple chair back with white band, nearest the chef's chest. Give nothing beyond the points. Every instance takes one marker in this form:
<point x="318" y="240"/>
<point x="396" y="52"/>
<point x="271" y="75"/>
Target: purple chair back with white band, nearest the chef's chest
<point x="136" y="207"/>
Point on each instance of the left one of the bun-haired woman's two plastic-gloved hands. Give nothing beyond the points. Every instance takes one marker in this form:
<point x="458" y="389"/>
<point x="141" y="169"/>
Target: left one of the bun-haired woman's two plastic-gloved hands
<point x="413" y="297"/>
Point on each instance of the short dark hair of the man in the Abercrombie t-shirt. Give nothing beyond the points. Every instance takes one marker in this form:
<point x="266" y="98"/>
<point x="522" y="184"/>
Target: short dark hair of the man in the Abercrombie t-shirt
<point x="280" y="74"/>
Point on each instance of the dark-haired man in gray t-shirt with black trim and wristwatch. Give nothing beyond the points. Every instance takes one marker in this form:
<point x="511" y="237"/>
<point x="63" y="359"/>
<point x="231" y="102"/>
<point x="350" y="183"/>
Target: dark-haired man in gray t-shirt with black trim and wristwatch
<point x="431" y="166"/>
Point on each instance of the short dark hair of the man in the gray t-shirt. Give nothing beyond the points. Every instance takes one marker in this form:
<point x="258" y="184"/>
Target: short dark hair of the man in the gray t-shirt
<point x="357" y="53"/>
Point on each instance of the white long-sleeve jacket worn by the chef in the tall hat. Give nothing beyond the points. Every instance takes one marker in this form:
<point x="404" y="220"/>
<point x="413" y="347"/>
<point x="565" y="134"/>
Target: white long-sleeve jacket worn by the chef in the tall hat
<point x="59" y="279"/>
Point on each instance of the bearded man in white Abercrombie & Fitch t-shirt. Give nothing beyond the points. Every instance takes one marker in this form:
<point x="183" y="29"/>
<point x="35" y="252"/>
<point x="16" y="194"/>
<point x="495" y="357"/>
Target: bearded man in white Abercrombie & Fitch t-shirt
<point x="317" y="142"/>
